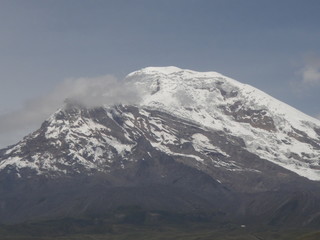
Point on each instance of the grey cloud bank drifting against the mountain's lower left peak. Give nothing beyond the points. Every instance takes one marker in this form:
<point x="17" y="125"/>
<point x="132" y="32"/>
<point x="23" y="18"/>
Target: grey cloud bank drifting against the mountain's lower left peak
<point x="90" y="92"/>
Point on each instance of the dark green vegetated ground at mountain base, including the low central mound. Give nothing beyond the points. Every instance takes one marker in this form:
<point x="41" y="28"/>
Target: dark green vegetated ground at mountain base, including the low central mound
<point x="134" y="223"/>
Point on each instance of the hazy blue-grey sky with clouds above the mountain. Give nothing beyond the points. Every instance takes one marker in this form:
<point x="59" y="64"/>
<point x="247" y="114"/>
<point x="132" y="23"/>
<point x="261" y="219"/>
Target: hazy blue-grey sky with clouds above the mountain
<point x="50" y="49"/>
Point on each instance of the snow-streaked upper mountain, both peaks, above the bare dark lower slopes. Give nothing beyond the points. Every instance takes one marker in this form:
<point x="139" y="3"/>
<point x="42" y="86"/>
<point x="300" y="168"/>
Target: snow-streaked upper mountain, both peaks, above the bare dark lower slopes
<point x="203" y="119"/>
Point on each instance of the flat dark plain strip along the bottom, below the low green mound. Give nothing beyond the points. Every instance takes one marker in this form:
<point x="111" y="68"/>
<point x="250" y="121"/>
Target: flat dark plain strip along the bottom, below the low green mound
<point x="72" y="229"/>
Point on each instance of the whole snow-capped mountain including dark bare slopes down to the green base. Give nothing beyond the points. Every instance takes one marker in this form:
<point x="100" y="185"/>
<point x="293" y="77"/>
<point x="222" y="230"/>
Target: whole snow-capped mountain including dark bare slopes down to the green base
<point x="196" y="143"/>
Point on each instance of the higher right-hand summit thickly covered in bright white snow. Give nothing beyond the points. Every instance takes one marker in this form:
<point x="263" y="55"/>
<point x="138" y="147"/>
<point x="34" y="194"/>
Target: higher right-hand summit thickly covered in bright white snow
<point x="270" y="128"/>
